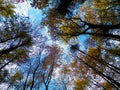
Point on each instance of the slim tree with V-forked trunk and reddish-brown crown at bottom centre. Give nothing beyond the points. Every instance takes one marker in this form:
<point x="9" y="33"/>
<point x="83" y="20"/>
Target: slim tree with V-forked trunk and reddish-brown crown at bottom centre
<point x="48" y="65"/>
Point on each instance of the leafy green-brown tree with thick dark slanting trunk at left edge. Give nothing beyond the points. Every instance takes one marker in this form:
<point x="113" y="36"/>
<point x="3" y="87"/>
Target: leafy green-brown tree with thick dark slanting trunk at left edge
<point x="15" y="40"/>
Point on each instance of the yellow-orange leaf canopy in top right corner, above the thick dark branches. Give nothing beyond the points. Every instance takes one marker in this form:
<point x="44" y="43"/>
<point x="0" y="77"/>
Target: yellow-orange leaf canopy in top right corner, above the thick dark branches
<point x="101" y="11"/>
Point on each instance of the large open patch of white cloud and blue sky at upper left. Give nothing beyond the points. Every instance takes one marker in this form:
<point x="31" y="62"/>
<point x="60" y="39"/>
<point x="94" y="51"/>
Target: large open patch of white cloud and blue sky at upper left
<point x="25" y="9"/>
